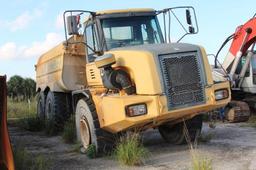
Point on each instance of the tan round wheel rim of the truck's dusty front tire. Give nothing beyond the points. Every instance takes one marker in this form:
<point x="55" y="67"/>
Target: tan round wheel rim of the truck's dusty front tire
<point x="84" y="133"/>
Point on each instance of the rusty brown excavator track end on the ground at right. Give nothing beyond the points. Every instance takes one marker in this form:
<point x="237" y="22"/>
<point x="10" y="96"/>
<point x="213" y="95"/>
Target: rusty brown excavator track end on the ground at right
<point x="237" y="111"/>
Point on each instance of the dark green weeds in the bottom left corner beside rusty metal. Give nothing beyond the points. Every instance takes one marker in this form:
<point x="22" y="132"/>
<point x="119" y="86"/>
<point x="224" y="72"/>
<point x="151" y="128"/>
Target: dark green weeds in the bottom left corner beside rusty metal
<point x="28" y="161"/>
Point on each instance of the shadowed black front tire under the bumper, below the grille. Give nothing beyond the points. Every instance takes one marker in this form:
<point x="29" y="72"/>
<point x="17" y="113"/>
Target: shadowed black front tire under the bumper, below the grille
<point x="175" y="134"/>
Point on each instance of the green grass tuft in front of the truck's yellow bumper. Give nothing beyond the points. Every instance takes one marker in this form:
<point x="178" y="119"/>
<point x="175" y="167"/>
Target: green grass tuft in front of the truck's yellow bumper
<point x="130" y="151"/>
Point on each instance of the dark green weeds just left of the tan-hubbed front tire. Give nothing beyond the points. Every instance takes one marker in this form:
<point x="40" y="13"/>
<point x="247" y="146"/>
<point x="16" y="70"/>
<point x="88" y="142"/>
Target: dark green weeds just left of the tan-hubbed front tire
<point x="69" y="131"/>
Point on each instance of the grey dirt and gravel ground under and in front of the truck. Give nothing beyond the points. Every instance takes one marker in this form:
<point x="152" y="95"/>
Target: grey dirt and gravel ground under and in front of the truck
<point x="229" y="146"/>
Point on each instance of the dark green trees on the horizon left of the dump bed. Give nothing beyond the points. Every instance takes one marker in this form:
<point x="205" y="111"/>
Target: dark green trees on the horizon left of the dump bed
<point x="20" y="88"/>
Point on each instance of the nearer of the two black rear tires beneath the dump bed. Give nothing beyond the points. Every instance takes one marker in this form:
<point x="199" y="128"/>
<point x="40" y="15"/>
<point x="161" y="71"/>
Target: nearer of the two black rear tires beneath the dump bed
<point x="57" y="109"/>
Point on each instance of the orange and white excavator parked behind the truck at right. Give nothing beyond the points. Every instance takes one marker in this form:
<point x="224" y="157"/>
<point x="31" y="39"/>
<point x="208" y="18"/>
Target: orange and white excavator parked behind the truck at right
<point x="239" y="67"/>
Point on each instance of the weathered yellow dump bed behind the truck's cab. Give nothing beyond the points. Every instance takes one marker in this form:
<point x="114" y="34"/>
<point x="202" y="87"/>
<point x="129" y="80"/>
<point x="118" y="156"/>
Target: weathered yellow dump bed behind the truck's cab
<point x="62" y="68"/>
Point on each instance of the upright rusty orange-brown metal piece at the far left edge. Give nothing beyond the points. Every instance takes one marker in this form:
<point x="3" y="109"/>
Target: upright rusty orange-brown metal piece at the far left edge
<point x="6" y="155"/>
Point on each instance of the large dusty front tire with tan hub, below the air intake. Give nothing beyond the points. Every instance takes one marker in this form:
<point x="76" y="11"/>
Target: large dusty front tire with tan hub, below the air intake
<point x="88" y="128"/>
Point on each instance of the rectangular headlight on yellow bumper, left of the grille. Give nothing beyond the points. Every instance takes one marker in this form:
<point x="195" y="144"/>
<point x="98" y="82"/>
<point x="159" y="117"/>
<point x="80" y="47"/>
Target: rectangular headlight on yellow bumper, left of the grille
<point x="136" y="109"/>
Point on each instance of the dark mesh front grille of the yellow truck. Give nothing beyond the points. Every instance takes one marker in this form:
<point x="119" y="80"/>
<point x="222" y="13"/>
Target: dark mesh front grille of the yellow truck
<point x="183" y="79"/>
